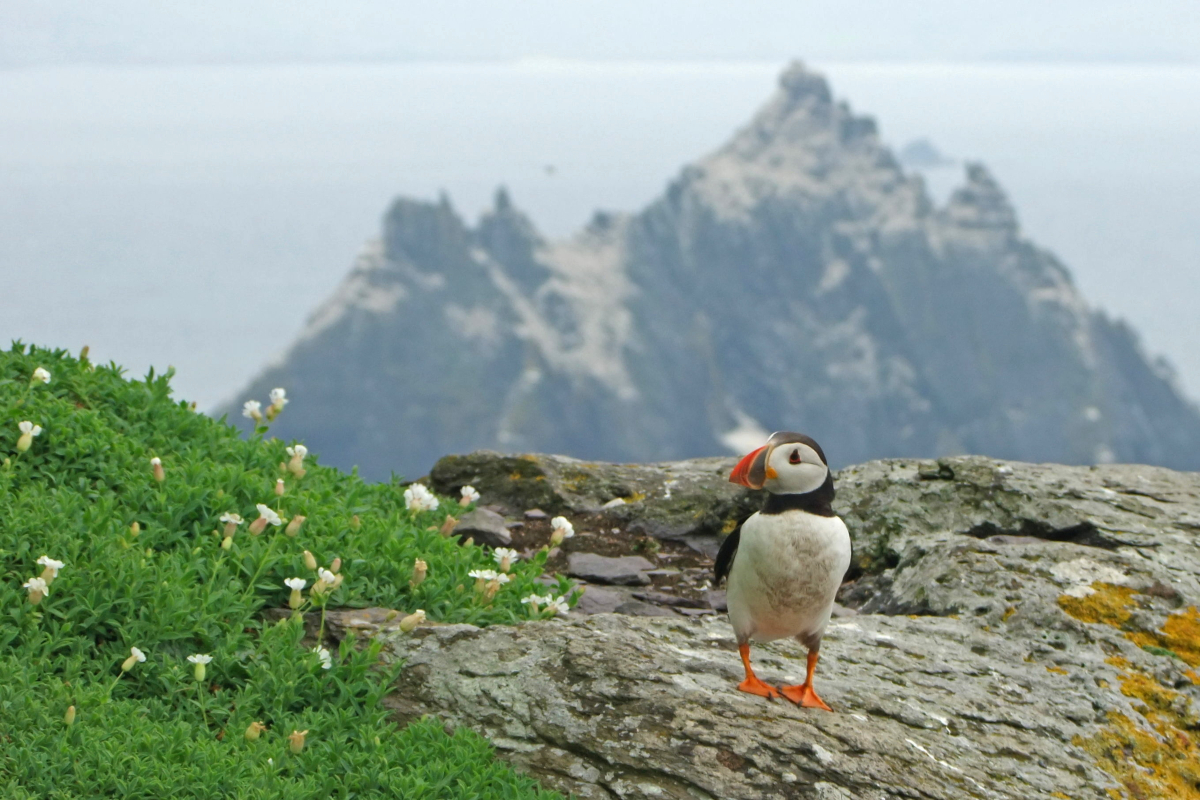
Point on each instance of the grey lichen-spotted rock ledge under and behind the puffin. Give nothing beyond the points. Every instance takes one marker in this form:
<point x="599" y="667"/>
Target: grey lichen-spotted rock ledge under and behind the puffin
<point x="1022" y="631"/>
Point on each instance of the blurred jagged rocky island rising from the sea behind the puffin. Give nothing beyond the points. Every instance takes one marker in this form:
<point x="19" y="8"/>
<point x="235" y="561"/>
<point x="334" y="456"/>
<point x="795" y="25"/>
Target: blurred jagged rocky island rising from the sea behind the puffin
<point x="796" y="278"/>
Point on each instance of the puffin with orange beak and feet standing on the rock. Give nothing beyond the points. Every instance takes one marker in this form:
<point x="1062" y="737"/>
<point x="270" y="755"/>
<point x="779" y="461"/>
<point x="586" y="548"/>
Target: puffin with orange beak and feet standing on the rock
<point x="785" y="563"/>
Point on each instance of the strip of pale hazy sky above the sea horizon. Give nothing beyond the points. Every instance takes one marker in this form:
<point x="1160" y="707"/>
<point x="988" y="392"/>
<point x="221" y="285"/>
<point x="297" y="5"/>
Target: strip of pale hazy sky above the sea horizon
<point x="272" y="31"/>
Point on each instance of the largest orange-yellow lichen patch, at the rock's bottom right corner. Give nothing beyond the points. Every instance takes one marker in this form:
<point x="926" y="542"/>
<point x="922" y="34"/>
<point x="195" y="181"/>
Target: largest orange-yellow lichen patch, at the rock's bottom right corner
<point x="1162" y="761"/>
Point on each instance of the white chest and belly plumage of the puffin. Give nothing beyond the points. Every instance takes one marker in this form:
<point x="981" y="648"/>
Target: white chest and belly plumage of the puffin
<point x="787" y="574"/>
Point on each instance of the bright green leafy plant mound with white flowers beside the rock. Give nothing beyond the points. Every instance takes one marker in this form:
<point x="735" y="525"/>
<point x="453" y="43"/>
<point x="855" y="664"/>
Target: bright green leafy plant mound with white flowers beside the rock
<point x="146" y="568"/>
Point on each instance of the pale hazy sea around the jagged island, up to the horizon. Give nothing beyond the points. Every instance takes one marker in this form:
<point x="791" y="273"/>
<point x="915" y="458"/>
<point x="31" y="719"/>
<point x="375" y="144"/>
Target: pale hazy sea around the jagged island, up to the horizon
<point x="195" y="215"/>
